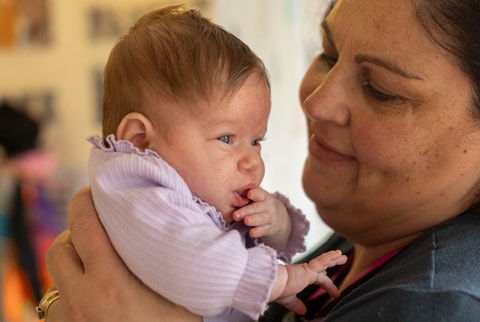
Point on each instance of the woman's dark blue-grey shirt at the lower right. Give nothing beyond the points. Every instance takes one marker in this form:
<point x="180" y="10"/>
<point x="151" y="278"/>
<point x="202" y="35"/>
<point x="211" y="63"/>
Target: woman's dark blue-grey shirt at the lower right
<point x="436" y="278"/>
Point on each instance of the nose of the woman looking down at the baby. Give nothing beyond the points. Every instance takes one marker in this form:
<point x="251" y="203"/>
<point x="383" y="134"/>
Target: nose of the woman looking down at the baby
<point x="329" y="100"/>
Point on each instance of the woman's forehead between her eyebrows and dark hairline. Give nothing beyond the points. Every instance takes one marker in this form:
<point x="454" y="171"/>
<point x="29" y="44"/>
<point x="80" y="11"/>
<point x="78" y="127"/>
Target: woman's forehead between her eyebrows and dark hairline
<point x="384" y="29"/>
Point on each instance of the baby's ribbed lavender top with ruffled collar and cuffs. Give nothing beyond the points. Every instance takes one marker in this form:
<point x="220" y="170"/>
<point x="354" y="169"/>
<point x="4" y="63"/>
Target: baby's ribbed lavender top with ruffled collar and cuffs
<point x="177" y="244"/>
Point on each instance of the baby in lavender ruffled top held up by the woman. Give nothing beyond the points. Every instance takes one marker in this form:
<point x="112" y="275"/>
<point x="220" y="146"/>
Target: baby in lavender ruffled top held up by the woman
<point x="176" y="177"/>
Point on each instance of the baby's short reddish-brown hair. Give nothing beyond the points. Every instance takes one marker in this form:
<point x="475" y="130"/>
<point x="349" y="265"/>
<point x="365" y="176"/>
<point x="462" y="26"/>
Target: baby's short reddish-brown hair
<point x="175" y="53"/>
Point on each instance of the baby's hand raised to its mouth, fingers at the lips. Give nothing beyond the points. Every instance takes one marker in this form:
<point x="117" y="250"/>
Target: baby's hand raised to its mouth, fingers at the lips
<point x="268" y="217"/>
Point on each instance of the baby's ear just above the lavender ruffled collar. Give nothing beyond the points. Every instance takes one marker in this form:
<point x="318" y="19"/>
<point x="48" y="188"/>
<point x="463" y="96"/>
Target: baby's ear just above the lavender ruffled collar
<point x="136" y="128"/>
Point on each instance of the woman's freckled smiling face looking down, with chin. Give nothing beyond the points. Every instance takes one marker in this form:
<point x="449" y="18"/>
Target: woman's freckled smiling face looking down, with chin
<point x="393" y="148"/>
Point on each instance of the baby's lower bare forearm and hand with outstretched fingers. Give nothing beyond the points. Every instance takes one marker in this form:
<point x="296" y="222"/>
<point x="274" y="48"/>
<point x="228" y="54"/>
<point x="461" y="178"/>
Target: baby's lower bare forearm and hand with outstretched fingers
<point x="291" y="279"/>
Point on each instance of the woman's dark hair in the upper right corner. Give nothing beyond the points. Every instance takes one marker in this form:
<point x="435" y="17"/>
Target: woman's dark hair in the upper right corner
<point x="455" y="26"/>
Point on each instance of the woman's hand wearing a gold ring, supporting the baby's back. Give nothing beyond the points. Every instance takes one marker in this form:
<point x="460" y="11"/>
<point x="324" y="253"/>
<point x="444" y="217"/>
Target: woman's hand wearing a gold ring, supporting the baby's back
<point x="93" y="282"/>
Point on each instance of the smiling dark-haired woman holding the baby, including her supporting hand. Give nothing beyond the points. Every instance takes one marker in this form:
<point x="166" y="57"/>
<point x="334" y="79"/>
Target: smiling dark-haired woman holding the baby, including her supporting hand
<point x="392" y="106"/>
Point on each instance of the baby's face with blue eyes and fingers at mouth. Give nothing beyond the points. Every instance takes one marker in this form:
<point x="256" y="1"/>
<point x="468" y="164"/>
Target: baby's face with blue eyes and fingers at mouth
<point x="217" y="151"/>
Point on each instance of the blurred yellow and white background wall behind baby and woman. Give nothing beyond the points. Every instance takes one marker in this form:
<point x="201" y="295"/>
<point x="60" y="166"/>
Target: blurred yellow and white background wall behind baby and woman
<point x="52" y="54"/>
